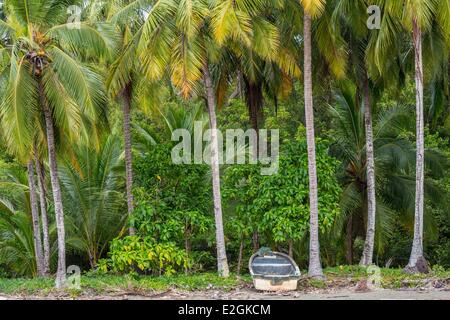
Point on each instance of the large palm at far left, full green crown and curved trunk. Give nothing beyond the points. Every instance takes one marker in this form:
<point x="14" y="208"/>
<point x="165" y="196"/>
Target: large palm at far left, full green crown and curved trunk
<point x="46" y="80"/>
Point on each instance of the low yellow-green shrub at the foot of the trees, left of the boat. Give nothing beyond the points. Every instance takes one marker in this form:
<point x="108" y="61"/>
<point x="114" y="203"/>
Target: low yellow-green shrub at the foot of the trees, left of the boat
<point x="135" y="253"/>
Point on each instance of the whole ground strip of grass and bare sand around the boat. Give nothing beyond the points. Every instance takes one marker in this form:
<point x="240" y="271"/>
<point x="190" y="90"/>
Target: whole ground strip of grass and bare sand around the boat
<point x="340" y="283"/>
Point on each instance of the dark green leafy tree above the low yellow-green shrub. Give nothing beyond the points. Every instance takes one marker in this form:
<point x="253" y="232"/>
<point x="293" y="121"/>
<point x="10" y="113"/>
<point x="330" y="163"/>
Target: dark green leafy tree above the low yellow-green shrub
<point x="173" y="201"/>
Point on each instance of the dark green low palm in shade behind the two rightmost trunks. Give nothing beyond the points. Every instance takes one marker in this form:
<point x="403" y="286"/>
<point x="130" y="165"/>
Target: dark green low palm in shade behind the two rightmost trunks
<point x="395" y="162"/>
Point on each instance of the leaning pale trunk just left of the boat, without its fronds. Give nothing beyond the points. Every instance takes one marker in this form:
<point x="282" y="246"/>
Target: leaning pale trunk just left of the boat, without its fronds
<point x="222" y="262"/>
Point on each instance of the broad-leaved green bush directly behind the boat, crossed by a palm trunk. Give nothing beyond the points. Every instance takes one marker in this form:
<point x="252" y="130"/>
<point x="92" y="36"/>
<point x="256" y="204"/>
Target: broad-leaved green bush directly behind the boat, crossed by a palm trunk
<point x="278" y="205"/>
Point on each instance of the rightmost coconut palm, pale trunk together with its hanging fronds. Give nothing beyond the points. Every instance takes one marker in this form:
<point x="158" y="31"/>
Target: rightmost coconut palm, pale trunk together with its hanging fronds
<point x="417" y="17"/>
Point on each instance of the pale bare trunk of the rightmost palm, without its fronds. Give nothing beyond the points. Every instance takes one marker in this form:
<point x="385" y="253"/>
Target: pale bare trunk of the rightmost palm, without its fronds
<point x="417" y="257"/>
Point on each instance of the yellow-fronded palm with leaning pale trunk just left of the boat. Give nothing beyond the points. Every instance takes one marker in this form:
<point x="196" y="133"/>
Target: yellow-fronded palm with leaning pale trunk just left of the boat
<point x="180" y="35"/>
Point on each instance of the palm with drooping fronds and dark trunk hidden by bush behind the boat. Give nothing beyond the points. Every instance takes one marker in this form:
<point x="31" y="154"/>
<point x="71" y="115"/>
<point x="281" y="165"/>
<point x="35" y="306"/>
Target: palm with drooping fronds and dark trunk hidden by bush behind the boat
<point x="257" y="58"/>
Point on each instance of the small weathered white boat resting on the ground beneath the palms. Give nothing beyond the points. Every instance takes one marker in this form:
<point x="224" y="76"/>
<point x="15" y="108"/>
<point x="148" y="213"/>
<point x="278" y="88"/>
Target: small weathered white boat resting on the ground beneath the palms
<point x="273" y="271"/>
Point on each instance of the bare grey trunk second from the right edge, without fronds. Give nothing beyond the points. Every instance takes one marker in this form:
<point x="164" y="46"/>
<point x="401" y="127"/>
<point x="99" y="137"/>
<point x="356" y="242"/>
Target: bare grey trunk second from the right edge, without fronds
<point x="367" y="257"/>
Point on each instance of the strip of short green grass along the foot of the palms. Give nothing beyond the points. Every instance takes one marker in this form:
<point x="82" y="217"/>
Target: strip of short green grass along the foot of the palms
<point x="97" y="284"/>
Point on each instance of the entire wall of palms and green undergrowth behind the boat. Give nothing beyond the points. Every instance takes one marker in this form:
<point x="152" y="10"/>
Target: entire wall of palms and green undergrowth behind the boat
<point x="94" y="95"/>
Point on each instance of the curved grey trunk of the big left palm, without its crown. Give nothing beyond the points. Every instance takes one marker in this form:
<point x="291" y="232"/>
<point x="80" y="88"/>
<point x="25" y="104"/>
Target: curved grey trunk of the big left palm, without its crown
<point x="56" y="190"/>
